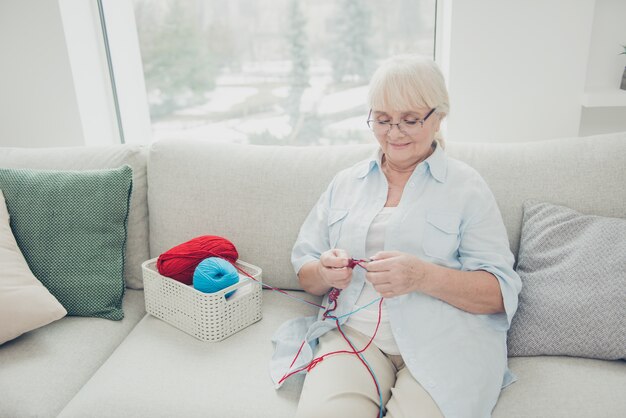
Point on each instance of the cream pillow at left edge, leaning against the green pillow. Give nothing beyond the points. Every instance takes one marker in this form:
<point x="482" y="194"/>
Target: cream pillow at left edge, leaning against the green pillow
<point x="25" y="304"/>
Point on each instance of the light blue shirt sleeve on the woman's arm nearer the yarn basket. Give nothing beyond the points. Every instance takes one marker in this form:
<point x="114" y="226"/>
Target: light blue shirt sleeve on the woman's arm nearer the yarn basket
<point x="313" y="238"/>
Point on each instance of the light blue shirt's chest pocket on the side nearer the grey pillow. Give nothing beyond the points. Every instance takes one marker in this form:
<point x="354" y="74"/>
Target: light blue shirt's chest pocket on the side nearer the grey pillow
<point x="441" y="235"/>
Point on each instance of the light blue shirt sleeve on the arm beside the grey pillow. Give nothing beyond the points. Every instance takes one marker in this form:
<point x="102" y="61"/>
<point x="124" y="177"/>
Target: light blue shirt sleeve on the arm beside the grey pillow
<point x="485" y="246"/>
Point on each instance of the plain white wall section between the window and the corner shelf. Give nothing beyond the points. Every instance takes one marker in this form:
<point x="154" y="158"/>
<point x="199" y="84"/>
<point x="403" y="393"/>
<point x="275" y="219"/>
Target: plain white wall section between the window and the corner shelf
<point x="516" y="69"/>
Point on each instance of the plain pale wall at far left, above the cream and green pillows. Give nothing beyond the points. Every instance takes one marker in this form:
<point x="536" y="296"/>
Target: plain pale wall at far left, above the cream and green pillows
<point x="38" y="105"/>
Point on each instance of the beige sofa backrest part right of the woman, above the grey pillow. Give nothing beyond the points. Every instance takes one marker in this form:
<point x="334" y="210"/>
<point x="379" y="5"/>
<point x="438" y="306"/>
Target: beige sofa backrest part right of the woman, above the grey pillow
<point x="587" y="174"/>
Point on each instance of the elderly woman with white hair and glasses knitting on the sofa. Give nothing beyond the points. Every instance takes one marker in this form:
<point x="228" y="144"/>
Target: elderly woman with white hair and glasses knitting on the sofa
<point x="414" y="245"/>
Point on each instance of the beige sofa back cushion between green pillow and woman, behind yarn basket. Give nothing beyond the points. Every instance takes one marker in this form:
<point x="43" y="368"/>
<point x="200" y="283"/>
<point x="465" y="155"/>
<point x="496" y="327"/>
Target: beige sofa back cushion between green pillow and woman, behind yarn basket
<point x="247" y="194"/>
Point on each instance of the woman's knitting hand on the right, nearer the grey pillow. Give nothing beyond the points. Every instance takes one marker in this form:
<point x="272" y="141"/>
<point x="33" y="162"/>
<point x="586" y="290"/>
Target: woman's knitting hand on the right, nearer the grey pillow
<point x="394" y="273"/>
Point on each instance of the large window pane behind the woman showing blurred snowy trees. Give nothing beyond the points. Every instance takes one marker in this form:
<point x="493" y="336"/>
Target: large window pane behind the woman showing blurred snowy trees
<point x="271" y="71"/>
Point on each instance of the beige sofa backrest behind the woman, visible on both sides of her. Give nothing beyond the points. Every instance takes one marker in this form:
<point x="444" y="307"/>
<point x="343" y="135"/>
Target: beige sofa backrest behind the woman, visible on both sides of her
<point x="258" y="196"/>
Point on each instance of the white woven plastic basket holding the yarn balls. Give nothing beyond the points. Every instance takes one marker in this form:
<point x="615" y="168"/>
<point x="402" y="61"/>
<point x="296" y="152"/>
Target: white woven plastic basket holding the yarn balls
<point x="206" y="316"/>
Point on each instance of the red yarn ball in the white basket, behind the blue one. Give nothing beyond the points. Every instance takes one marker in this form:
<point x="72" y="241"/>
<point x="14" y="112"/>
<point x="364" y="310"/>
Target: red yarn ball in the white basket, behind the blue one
<point x="180" y="262"/>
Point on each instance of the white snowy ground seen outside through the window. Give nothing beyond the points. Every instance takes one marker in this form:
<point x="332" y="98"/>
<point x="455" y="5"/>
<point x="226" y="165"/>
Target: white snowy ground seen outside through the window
<point x="341" y="113"/>
